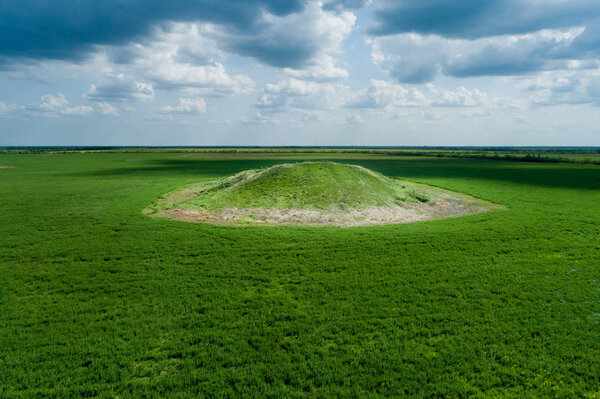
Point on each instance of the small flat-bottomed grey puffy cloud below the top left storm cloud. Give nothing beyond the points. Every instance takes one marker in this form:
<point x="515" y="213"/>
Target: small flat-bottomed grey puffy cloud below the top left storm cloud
<point x="120" y="88"/>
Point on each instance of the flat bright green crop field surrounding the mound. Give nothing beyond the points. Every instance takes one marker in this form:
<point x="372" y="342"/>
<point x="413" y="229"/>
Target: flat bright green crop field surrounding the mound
<point x="99" y="300"/>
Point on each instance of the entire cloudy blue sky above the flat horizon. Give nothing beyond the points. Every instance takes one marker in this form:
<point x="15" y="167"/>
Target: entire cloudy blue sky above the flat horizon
<point x="300" y="72"/>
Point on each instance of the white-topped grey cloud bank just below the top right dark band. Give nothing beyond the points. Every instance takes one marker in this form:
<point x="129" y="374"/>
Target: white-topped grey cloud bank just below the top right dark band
<point x="412" y="58"/>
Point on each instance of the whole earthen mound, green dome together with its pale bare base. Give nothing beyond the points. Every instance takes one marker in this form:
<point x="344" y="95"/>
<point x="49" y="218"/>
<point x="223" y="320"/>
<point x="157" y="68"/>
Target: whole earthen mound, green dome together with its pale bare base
<point x="312" y="193"/>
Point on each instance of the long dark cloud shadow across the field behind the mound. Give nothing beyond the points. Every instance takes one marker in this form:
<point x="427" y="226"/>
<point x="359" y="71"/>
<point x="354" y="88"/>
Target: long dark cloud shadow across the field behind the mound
<point x="540" y="174"/>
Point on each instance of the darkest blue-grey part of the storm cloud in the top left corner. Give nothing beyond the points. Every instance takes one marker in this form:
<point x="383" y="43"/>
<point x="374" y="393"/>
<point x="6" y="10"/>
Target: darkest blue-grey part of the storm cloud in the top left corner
<point x="69" y="30"/>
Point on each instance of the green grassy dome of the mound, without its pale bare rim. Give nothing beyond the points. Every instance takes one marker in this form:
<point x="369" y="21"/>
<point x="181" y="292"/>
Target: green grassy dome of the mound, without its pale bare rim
<point x="307" y="185"/>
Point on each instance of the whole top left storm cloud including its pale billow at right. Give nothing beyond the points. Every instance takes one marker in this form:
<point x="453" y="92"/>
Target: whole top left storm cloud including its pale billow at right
<point x="278" y="33"/>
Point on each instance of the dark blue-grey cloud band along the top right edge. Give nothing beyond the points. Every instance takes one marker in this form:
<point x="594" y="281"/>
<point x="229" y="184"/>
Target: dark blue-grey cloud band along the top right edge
<point x="467" y="19"/>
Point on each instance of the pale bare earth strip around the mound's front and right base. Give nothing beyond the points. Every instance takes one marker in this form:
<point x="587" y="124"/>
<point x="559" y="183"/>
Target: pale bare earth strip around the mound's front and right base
<point x="447" y="205"/>
